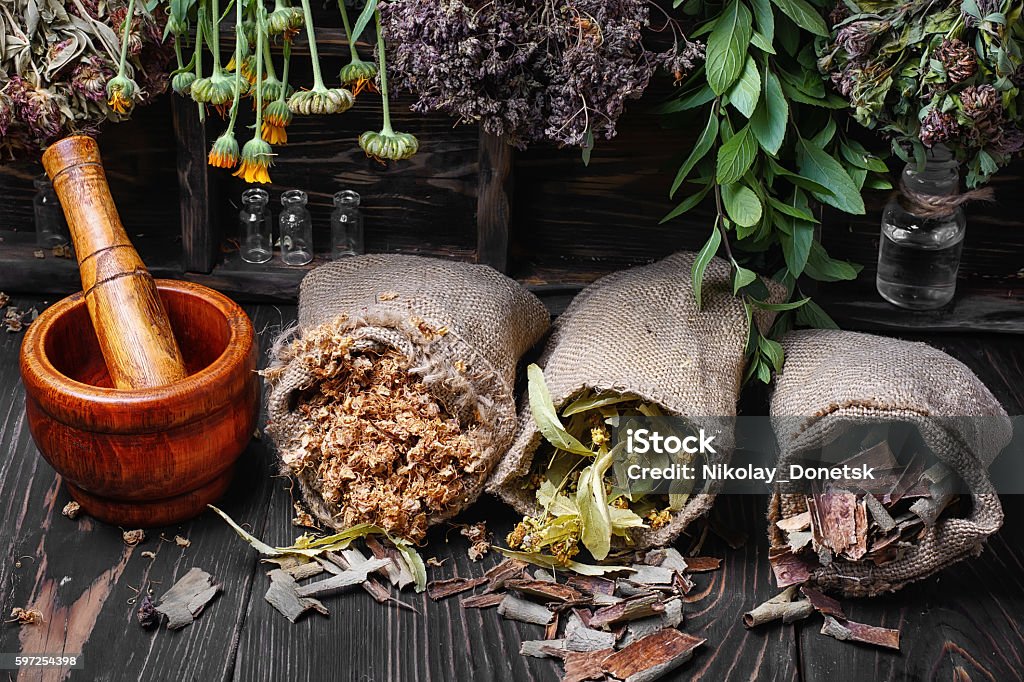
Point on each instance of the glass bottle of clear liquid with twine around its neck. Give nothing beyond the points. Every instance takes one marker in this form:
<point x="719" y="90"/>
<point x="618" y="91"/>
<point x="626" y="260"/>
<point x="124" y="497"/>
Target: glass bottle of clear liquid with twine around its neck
<point x="919" y="258"/>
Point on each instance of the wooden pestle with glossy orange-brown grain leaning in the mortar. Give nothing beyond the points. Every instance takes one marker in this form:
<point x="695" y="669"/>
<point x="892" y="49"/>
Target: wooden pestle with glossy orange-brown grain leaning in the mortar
<point x="131" y="322"/>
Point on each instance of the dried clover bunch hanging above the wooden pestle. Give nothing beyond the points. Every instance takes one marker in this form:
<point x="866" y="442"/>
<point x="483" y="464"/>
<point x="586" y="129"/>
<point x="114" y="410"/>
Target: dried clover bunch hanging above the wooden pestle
<point x="57" y="60"/>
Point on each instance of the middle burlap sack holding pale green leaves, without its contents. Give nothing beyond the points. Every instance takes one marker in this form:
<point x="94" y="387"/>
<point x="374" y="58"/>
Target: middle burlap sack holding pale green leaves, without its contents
<point x="639" y="332"/>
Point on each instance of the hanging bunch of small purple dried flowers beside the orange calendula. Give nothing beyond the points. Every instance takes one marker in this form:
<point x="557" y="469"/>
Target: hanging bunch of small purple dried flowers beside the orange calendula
<point x="561" y="71"/>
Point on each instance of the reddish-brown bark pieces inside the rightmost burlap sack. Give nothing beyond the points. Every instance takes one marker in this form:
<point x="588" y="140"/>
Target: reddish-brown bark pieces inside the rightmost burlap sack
<point x="877" y="524"/>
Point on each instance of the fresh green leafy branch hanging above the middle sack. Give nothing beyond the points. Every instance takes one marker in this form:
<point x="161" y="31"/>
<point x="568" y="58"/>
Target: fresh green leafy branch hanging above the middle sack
<point x="758" y="95"/>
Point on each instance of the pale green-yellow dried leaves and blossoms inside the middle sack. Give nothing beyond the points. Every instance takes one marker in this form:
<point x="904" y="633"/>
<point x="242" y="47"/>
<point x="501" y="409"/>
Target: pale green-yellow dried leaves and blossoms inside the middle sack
<point x="570" y="475"/>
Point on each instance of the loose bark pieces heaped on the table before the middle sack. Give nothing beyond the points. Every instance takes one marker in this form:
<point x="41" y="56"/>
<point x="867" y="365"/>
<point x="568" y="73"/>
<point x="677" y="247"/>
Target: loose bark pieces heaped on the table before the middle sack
<point x="623" y="625"/>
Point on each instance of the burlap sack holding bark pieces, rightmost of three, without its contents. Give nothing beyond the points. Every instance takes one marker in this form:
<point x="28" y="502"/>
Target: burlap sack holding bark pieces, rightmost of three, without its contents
<point x="833" y="380"/>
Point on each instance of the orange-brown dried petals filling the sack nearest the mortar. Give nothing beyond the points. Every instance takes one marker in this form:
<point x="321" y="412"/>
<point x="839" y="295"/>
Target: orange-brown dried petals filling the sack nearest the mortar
<point x="381" y="449"/>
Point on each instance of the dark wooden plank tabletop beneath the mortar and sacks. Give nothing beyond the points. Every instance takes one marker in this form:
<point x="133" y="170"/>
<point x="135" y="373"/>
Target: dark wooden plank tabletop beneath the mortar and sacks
<point x="965" y="624"/>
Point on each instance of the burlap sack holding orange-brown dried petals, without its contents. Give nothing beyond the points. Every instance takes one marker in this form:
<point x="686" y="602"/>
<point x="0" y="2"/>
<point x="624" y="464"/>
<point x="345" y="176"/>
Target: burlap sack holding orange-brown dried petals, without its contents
<point x="463" y="327"/>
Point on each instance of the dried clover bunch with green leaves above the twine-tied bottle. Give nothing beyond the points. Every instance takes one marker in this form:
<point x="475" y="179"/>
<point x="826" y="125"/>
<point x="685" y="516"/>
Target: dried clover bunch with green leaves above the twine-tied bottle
<point x="926" y="74"/>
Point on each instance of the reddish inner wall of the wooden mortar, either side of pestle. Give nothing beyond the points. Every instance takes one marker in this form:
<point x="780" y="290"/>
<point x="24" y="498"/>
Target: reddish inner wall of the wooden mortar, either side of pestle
<point x="202" y="332"/>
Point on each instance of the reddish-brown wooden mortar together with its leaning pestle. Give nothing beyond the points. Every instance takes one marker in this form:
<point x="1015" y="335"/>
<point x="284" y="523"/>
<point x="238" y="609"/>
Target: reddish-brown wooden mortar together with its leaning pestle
<point x="141" y="394"/>
